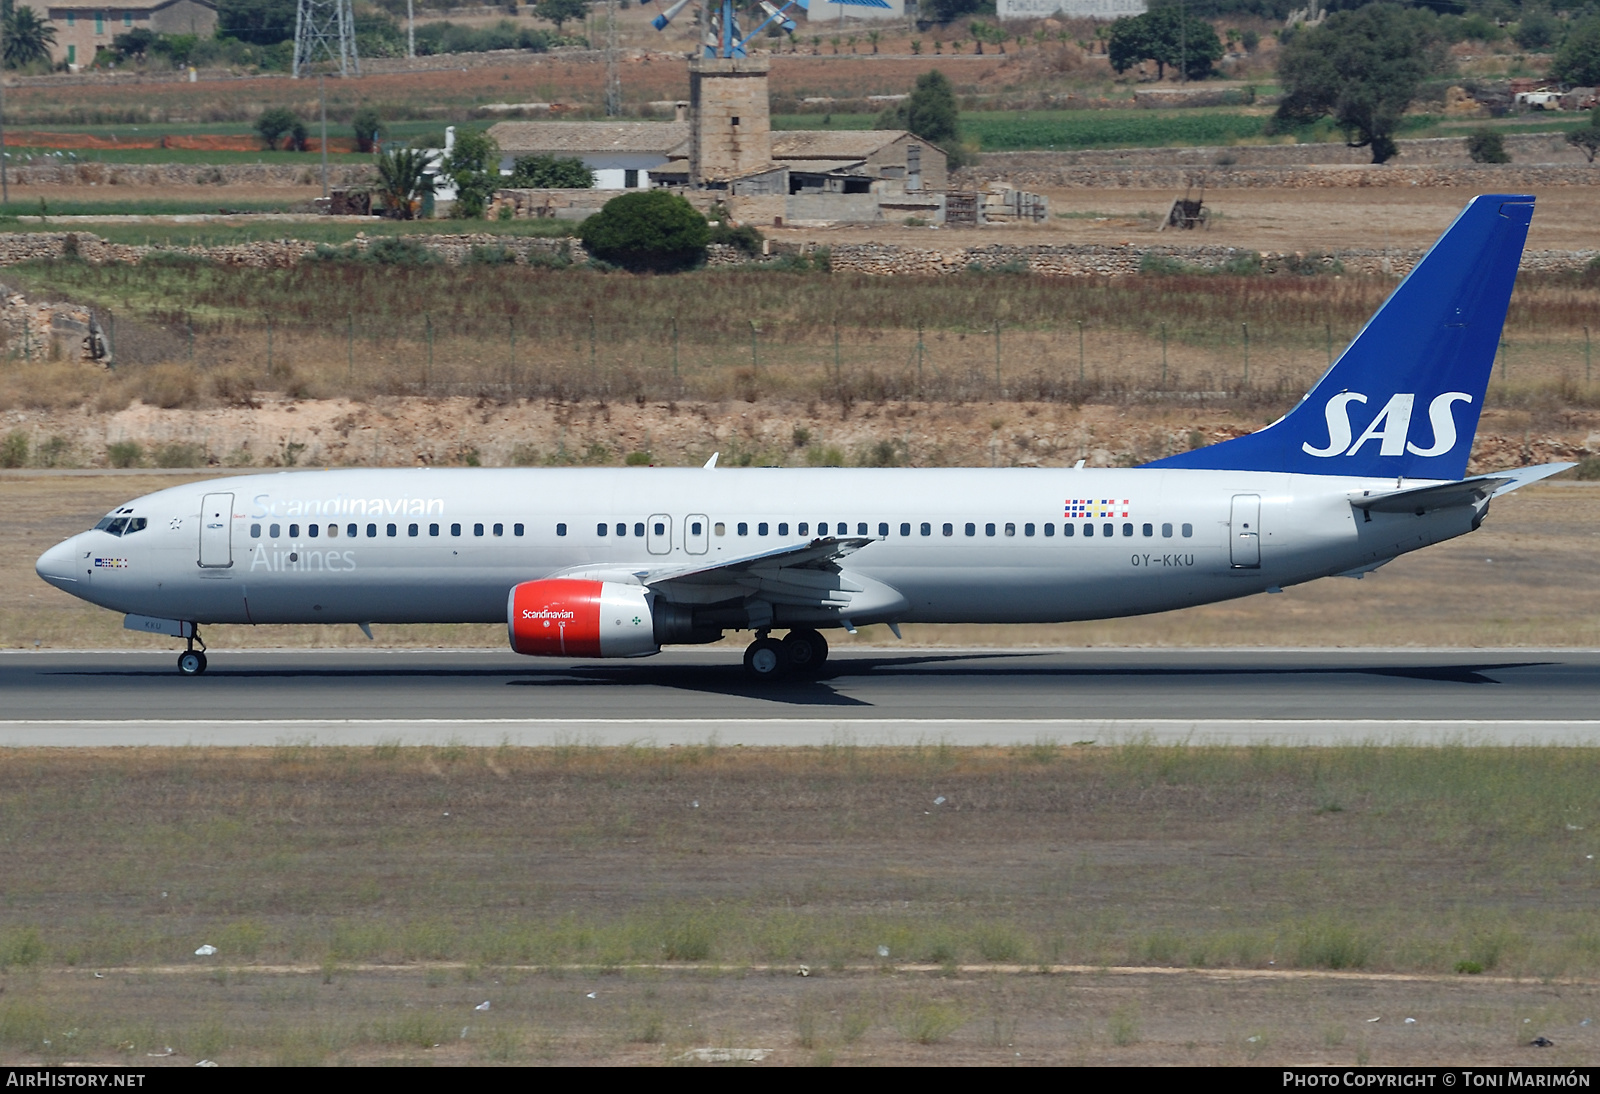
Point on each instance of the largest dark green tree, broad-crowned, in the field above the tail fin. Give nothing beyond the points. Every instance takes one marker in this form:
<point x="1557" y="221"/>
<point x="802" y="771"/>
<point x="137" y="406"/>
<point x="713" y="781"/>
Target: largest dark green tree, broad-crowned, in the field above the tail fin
<point x="1362" y="68"/>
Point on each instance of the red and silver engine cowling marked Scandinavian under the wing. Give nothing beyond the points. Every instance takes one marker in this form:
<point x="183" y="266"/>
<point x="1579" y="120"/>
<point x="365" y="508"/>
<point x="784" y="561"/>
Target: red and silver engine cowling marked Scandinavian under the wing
<point x="574" y="618"/>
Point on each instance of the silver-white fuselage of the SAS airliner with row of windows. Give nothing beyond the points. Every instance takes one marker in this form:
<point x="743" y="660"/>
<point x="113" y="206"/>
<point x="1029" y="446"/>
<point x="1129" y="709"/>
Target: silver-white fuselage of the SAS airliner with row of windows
<point x="959" y="546"/>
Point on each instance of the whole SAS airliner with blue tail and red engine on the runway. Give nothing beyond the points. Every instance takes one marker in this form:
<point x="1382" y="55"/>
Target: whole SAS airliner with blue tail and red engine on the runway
<point x="617" y="564"/>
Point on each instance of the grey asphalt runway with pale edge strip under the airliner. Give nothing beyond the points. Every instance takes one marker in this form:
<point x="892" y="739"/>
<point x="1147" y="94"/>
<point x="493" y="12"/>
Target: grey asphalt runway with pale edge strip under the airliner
<point x="881" y="697"/>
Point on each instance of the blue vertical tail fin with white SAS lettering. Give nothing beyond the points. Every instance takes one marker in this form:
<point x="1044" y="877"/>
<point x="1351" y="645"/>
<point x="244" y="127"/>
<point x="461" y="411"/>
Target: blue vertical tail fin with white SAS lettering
<point x="1404" y="399"/>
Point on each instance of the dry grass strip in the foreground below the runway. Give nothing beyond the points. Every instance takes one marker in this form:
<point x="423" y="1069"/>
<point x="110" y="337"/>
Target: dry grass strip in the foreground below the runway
<point x="473" y="866"/>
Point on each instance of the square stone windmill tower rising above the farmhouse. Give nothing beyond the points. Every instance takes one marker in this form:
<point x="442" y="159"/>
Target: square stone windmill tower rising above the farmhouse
<point x="730" y="122"/>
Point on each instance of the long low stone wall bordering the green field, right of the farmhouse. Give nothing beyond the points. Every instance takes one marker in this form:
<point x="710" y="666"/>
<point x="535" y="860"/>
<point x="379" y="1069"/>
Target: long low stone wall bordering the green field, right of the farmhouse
<point x="1039" y="172"/>
